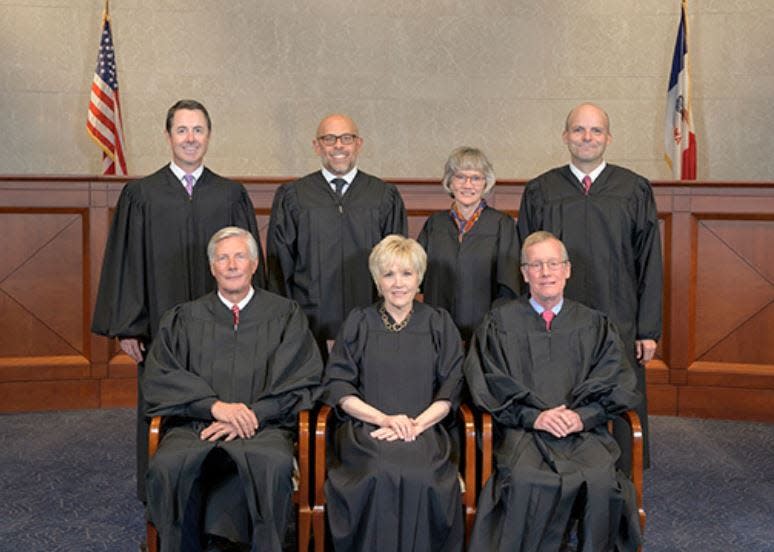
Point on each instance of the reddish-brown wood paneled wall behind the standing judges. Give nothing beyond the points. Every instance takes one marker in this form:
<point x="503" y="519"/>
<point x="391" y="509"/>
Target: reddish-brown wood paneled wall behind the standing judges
<point x="716" y="358"/>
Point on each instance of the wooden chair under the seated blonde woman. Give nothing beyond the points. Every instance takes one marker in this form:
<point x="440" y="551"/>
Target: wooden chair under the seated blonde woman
<point x="467" y="483"/>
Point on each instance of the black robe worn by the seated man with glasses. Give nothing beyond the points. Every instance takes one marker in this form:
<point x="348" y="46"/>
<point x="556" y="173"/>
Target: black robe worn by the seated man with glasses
<point x="516" y="369"/>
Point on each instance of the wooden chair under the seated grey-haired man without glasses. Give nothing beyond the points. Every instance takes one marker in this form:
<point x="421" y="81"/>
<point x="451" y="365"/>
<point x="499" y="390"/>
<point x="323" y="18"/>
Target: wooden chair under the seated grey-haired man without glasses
<point x="300" y="481"/>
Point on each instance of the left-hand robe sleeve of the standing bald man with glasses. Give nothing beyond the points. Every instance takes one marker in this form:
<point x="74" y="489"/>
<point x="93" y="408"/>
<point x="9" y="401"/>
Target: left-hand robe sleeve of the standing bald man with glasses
<point x="281" y="243"/>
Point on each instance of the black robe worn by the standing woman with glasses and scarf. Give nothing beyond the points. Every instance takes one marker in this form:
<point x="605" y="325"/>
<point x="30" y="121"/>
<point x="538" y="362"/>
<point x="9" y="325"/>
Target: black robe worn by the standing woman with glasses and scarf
<point x="467" y="278"/>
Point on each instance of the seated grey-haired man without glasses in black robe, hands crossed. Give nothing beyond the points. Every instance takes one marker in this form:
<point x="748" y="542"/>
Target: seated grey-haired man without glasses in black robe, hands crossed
<point x="231" y="384"/>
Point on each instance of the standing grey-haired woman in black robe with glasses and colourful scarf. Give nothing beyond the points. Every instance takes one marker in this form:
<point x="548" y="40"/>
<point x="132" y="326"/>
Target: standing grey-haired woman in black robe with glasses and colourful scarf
<point x="471" y="248"/>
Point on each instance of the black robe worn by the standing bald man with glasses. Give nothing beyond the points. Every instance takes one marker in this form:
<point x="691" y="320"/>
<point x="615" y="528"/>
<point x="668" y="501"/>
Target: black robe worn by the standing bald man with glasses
<point x="318" y="245"/>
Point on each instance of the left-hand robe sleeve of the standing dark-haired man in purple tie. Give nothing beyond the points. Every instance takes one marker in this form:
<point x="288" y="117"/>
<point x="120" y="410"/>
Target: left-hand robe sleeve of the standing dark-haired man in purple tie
<point x="121" y="308"/>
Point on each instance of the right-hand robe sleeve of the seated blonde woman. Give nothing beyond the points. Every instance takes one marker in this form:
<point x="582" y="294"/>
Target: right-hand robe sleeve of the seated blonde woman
<point x="448" y="369"/>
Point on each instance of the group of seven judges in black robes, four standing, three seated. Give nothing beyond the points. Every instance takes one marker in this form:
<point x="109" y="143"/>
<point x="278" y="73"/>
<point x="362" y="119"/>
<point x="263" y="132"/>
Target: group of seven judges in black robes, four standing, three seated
<point x="546" y="324"/>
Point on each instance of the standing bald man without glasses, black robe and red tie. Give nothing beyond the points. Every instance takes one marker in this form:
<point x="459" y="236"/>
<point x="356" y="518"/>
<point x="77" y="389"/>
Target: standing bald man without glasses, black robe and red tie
<point x="611" y="232"/>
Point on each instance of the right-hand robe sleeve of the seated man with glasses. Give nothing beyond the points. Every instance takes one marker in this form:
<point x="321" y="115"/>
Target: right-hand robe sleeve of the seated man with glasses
<point x="609" y="387"/>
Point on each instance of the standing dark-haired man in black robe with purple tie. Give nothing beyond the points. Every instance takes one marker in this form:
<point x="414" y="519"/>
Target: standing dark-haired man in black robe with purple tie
<point x="155" y="253"/>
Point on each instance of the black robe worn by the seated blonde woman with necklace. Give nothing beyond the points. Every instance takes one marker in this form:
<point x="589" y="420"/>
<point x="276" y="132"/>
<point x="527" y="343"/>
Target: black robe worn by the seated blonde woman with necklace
<point x="394" y="496"/>
